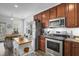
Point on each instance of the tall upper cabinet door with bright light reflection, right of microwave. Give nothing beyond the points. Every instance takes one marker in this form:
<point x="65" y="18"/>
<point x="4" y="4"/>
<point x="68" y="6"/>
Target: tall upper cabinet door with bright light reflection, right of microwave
<point x="71" y="20"/>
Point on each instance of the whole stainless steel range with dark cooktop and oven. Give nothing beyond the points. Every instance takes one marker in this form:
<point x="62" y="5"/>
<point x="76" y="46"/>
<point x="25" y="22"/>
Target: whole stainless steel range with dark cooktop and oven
<point x="54" y="43"/>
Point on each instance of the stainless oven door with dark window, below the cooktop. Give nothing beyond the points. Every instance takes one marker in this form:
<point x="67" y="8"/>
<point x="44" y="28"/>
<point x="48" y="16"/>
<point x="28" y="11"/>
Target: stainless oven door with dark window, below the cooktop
<point x="54" y="47"/>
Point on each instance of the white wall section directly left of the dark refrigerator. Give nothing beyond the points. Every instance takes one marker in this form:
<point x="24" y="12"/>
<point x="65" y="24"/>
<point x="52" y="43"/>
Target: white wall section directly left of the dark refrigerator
<point x="27" y="20"/>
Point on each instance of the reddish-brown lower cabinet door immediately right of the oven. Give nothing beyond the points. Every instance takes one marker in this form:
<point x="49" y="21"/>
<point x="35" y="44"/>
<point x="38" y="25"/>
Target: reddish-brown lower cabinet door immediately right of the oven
<point x="67" y="48"/>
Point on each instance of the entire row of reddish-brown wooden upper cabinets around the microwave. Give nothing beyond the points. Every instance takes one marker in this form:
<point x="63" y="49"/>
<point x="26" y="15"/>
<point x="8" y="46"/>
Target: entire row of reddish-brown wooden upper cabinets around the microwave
<point x="68" y="10"/>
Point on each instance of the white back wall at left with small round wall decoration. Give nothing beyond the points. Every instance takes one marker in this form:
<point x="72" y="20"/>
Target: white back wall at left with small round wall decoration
<point x="13" y="23"/>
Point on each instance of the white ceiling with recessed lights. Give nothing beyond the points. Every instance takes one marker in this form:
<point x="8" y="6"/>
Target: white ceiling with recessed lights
<point x="24" y="10"/>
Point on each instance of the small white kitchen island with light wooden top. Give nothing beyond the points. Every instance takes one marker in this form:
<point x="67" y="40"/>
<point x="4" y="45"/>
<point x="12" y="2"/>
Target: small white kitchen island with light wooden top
<point x="22" y="47"/>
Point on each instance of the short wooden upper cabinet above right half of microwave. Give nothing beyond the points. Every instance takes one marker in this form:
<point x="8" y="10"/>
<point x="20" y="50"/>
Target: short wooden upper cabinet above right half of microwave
<point x="61" y="10"/>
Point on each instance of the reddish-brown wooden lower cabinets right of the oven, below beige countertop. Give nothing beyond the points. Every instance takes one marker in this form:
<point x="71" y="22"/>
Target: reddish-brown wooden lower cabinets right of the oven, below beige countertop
<point x="71" y="48"/>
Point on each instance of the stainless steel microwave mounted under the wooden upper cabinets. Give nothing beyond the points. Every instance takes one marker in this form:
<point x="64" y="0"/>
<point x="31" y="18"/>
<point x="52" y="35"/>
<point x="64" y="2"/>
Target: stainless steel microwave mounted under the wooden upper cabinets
<point x="58" y="22"/>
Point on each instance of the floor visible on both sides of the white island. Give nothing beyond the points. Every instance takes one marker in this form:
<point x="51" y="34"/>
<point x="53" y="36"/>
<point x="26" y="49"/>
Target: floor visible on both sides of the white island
<point x="6" y="52"/>
